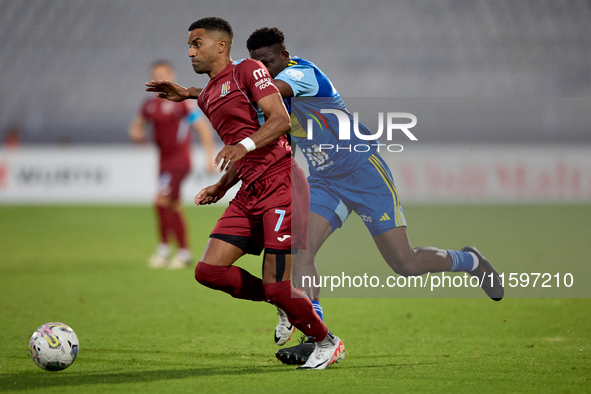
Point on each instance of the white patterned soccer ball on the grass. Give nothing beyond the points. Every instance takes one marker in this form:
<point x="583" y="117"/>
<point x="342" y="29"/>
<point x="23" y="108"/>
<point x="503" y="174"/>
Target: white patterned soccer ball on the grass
<point x="54" y="346"/>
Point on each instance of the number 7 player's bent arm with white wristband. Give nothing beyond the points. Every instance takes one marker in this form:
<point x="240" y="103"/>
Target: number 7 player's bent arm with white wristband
<point x="275" y="126"/>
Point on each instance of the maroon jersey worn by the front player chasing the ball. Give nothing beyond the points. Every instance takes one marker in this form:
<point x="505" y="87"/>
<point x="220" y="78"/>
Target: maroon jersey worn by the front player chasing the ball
<point x="230" y="102"/>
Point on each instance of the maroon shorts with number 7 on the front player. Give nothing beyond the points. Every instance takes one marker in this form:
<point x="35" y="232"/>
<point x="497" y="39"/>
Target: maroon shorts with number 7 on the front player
<point x="266" y="215"/>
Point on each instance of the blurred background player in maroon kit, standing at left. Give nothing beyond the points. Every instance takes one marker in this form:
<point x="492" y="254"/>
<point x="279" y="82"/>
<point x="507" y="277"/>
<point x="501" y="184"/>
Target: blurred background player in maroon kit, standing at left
<point x="171" y="124"/>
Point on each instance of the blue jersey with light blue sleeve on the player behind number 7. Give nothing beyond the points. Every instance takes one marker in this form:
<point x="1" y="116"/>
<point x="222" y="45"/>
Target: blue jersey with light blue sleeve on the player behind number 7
<point x="308" y="81"/>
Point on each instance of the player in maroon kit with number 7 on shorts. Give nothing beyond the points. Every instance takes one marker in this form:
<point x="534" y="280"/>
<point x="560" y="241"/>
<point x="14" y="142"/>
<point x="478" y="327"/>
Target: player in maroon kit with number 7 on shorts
<point x="261" y="215"/>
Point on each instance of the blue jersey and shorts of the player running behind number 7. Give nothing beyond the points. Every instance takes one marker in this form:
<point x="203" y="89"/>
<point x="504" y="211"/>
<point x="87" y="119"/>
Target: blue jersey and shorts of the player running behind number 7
<point x="341" y="179"/>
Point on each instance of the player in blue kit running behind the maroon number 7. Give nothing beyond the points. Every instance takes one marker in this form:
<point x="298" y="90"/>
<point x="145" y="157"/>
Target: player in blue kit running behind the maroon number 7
<point x="342" y="181"/>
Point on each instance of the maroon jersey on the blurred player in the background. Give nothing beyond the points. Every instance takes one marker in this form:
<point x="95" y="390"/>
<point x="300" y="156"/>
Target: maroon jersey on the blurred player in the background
<point x="172" y="131"/>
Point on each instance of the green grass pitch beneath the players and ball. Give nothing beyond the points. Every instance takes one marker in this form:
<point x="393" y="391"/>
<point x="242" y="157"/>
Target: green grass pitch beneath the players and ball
<point x="150" y="331"/>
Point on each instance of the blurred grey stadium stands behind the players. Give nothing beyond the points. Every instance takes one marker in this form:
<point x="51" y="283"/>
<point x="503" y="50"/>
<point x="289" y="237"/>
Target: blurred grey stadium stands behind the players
<point x="73" y="71"/>
